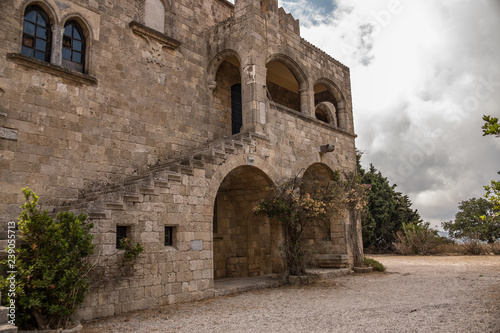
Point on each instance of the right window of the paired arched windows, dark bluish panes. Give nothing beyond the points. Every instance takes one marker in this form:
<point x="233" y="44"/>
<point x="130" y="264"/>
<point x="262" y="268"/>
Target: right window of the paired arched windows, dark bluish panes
<point x="73" y="48"/>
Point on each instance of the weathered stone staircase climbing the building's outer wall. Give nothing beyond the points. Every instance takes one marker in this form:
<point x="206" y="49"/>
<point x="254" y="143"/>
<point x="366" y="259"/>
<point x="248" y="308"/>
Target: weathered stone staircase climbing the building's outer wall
<point x="114" y="197"/>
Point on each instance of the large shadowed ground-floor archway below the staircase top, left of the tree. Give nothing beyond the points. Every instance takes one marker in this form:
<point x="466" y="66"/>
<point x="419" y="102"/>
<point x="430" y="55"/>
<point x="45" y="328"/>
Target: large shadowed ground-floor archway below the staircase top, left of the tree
<point x="244" y="245"/>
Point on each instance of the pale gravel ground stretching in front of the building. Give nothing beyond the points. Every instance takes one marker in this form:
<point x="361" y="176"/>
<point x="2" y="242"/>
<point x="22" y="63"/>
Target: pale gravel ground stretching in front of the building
<point x="416" y="294"/>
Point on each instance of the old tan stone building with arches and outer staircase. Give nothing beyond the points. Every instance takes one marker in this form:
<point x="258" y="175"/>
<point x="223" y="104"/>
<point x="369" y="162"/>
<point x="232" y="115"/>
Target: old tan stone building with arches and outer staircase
<point x="167" y="121"/>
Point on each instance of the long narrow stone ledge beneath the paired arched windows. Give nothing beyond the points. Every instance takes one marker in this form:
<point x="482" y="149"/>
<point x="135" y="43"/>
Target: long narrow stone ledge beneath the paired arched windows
<point x="51" y="69"/>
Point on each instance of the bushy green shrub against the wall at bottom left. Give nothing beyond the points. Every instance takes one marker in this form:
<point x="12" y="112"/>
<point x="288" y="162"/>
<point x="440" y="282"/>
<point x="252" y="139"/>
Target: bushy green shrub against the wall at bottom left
<point x="52" y="265"/>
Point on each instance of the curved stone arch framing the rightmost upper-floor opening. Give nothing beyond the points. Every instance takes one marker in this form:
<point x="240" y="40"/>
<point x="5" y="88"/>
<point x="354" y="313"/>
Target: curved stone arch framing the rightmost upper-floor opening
<point x="327" y="91"/>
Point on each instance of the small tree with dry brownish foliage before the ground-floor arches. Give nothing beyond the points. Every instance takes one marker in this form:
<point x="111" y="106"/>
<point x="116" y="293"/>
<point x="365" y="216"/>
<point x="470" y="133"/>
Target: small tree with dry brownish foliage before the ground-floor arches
<point x="298" y="203"/>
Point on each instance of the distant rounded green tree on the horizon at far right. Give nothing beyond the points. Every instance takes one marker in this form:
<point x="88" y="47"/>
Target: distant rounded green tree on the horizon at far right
<point x="475" y="219"/>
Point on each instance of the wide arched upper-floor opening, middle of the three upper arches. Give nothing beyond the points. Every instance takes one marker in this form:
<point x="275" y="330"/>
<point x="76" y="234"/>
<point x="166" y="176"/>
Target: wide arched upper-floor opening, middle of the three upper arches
<point x="283" y="88"/>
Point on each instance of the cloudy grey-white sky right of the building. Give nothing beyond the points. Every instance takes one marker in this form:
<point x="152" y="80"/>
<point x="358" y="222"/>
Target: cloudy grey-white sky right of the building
<point x="423" y="73"/>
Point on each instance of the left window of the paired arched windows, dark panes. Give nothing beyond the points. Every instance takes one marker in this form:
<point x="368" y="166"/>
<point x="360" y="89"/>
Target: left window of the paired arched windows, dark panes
<point x="36" y="34"/>
